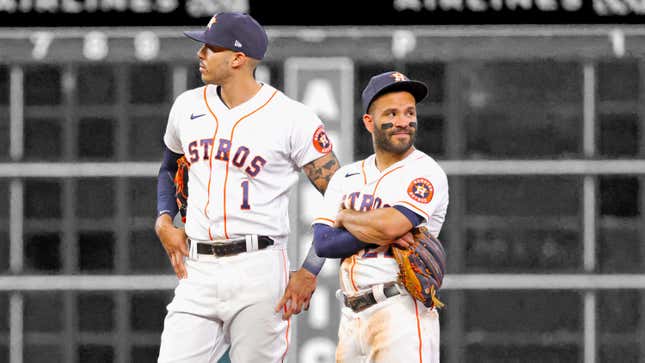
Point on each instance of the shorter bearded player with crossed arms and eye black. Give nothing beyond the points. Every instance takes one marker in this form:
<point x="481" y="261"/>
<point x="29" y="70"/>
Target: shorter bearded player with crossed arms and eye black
<point x="382" y="198"/>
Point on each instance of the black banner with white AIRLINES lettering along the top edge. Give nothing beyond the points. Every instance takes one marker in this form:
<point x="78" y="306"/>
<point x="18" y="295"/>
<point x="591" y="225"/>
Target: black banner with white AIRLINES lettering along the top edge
<point x="110" y="13"/>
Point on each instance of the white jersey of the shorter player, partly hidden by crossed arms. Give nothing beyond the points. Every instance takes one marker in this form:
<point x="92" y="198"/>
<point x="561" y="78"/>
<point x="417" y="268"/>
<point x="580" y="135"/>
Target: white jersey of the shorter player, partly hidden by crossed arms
<point x="417" y="183"/>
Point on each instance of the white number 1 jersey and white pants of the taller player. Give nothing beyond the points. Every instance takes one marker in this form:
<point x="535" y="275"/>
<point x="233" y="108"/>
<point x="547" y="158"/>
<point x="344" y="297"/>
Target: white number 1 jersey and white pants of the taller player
<point x="243" y="162"/>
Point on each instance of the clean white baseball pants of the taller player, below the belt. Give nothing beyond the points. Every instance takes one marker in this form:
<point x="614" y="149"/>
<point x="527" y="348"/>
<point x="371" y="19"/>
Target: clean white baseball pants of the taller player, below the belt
<point x="228" y="301"/>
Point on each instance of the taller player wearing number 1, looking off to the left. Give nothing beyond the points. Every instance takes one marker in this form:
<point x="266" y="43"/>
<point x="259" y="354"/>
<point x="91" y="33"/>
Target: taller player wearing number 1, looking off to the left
<point x="245" y="142"/>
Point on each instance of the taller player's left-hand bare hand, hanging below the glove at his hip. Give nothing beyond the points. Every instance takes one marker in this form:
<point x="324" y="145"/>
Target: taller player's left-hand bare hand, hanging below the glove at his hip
<point x="173" y="240"/>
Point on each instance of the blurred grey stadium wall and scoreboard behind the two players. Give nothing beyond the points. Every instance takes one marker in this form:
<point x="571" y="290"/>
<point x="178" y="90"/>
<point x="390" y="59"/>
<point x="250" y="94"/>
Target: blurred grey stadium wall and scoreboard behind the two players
<point x="536" y="112"/>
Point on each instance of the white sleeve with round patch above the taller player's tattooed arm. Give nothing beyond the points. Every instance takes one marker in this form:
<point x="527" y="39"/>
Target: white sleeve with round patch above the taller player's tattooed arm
<point x="309" y="141"/>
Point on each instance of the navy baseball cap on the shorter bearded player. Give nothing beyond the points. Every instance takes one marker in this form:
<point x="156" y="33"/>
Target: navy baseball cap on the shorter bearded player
<point x="392" y="82"/>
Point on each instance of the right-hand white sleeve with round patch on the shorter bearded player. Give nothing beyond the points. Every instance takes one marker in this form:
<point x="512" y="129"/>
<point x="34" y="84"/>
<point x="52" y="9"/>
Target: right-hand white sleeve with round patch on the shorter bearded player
<point x="421" y="191"/>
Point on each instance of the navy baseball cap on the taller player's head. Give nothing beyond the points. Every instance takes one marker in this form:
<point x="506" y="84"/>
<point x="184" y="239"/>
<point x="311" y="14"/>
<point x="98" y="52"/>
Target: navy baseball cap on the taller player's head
<point x="235" y="31"/>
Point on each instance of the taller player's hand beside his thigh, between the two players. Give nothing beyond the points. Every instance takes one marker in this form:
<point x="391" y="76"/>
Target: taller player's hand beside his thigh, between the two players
<point x="297" y="295"/>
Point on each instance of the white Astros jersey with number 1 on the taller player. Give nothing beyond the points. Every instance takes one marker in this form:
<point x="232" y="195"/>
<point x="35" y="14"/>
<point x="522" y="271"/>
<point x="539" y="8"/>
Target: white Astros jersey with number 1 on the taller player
<point x="243" y="160"/>
